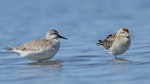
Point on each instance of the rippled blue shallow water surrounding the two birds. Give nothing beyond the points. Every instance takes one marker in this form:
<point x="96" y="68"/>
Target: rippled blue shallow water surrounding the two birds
<point x="79" y="60"/>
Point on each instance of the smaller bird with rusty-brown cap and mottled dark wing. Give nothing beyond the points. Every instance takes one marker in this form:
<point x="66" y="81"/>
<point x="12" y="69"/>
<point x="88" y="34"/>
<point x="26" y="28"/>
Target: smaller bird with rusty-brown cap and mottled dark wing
<point x="117" y="43"/>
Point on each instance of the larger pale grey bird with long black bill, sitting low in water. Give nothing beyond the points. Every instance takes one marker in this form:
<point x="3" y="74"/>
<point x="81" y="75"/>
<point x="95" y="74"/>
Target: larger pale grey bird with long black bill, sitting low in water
<point x="39" y="49"/>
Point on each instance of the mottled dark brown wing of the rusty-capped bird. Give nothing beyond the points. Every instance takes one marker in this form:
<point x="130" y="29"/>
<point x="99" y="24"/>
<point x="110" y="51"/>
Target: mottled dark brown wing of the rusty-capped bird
<point x="107" y="43"/>
